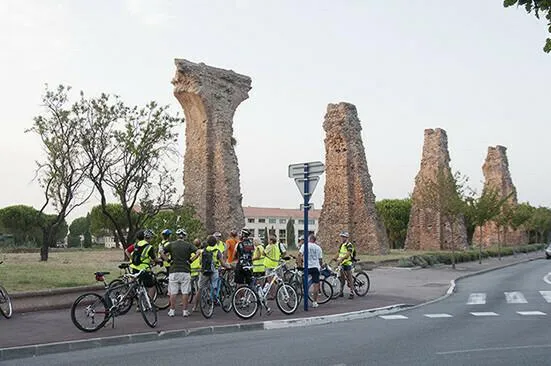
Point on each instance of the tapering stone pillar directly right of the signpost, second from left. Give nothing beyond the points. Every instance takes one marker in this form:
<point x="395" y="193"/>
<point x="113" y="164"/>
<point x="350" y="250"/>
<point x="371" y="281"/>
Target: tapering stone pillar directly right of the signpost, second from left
<point x="349" y="202"/>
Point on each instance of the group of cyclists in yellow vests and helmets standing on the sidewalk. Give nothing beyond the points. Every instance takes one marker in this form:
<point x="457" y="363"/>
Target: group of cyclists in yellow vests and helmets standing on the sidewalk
<point x="196" y="265"/>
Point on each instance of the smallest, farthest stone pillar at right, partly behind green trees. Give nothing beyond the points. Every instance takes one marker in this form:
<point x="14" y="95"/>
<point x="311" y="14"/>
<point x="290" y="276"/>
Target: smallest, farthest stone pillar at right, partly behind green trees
<point x="497" y="177"/>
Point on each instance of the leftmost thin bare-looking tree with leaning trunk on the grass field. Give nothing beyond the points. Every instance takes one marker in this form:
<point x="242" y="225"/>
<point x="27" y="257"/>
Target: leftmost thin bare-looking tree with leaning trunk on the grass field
<point x="62" y="174"/>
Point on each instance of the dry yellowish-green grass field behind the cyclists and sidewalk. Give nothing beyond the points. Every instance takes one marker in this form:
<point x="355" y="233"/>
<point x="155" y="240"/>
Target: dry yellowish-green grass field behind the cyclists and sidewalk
<point x="24" y="271"/>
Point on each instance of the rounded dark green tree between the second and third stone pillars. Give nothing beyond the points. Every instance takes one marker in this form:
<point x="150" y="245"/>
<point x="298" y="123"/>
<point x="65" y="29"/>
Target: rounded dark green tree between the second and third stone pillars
<point x="395" y="216"/>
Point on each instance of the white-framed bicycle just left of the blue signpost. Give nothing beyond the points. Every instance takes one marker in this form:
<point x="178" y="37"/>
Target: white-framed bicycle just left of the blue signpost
<point x="246" y="300"/>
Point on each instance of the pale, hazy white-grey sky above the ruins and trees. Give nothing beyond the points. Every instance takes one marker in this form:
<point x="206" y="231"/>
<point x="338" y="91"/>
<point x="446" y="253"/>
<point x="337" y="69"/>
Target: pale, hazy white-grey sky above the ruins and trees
<point x="470" y="67"/>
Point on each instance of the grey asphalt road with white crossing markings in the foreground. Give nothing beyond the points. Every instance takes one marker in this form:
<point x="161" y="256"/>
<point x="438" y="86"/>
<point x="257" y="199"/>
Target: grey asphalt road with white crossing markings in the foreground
<point x="498" y="318"/>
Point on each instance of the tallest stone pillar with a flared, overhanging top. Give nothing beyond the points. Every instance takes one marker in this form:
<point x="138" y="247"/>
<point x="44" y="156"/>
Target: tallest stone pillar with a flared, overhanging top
<point x="209" y="97"/>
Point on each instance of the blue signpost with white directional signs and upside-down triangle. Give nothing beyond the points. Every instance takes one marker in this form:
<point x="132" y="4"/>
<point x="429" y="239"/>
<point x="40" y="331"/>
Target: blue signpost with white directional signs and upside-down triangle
<point x="306" y="177"/>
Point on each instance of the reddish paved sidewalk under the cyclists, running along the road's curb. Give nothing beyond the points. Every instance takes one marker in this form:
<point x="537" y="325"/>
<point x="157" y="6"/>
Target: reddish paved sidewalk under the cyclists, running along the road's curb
<point x="389" y="286"/>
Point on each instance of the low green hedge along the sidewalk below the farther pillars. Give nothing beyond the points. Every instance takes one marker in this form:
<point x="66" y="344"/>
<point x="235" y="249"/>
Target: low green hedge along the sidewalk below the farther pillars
<point x="430" y="259"/>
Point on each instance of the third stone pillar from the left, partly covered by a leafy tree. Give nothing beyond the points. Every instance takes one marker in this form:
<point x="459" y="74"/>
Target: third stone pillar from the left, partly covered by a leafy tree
<point x="427" y="230"/>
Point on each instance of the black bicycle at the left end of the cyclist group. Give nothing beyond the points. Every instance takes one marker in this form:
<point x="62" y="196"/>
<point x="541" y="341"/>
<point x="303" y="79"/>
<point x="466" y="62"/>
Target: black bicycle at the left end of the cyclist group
<point x="115" y="299"/>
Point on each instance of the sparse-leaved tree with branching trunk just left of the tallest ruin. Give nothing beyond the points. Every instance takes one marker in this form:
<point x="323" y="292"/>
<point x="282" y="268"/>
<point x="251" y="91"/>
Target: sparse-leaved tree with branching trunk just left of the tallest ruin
<point x="126" y="148"/>
